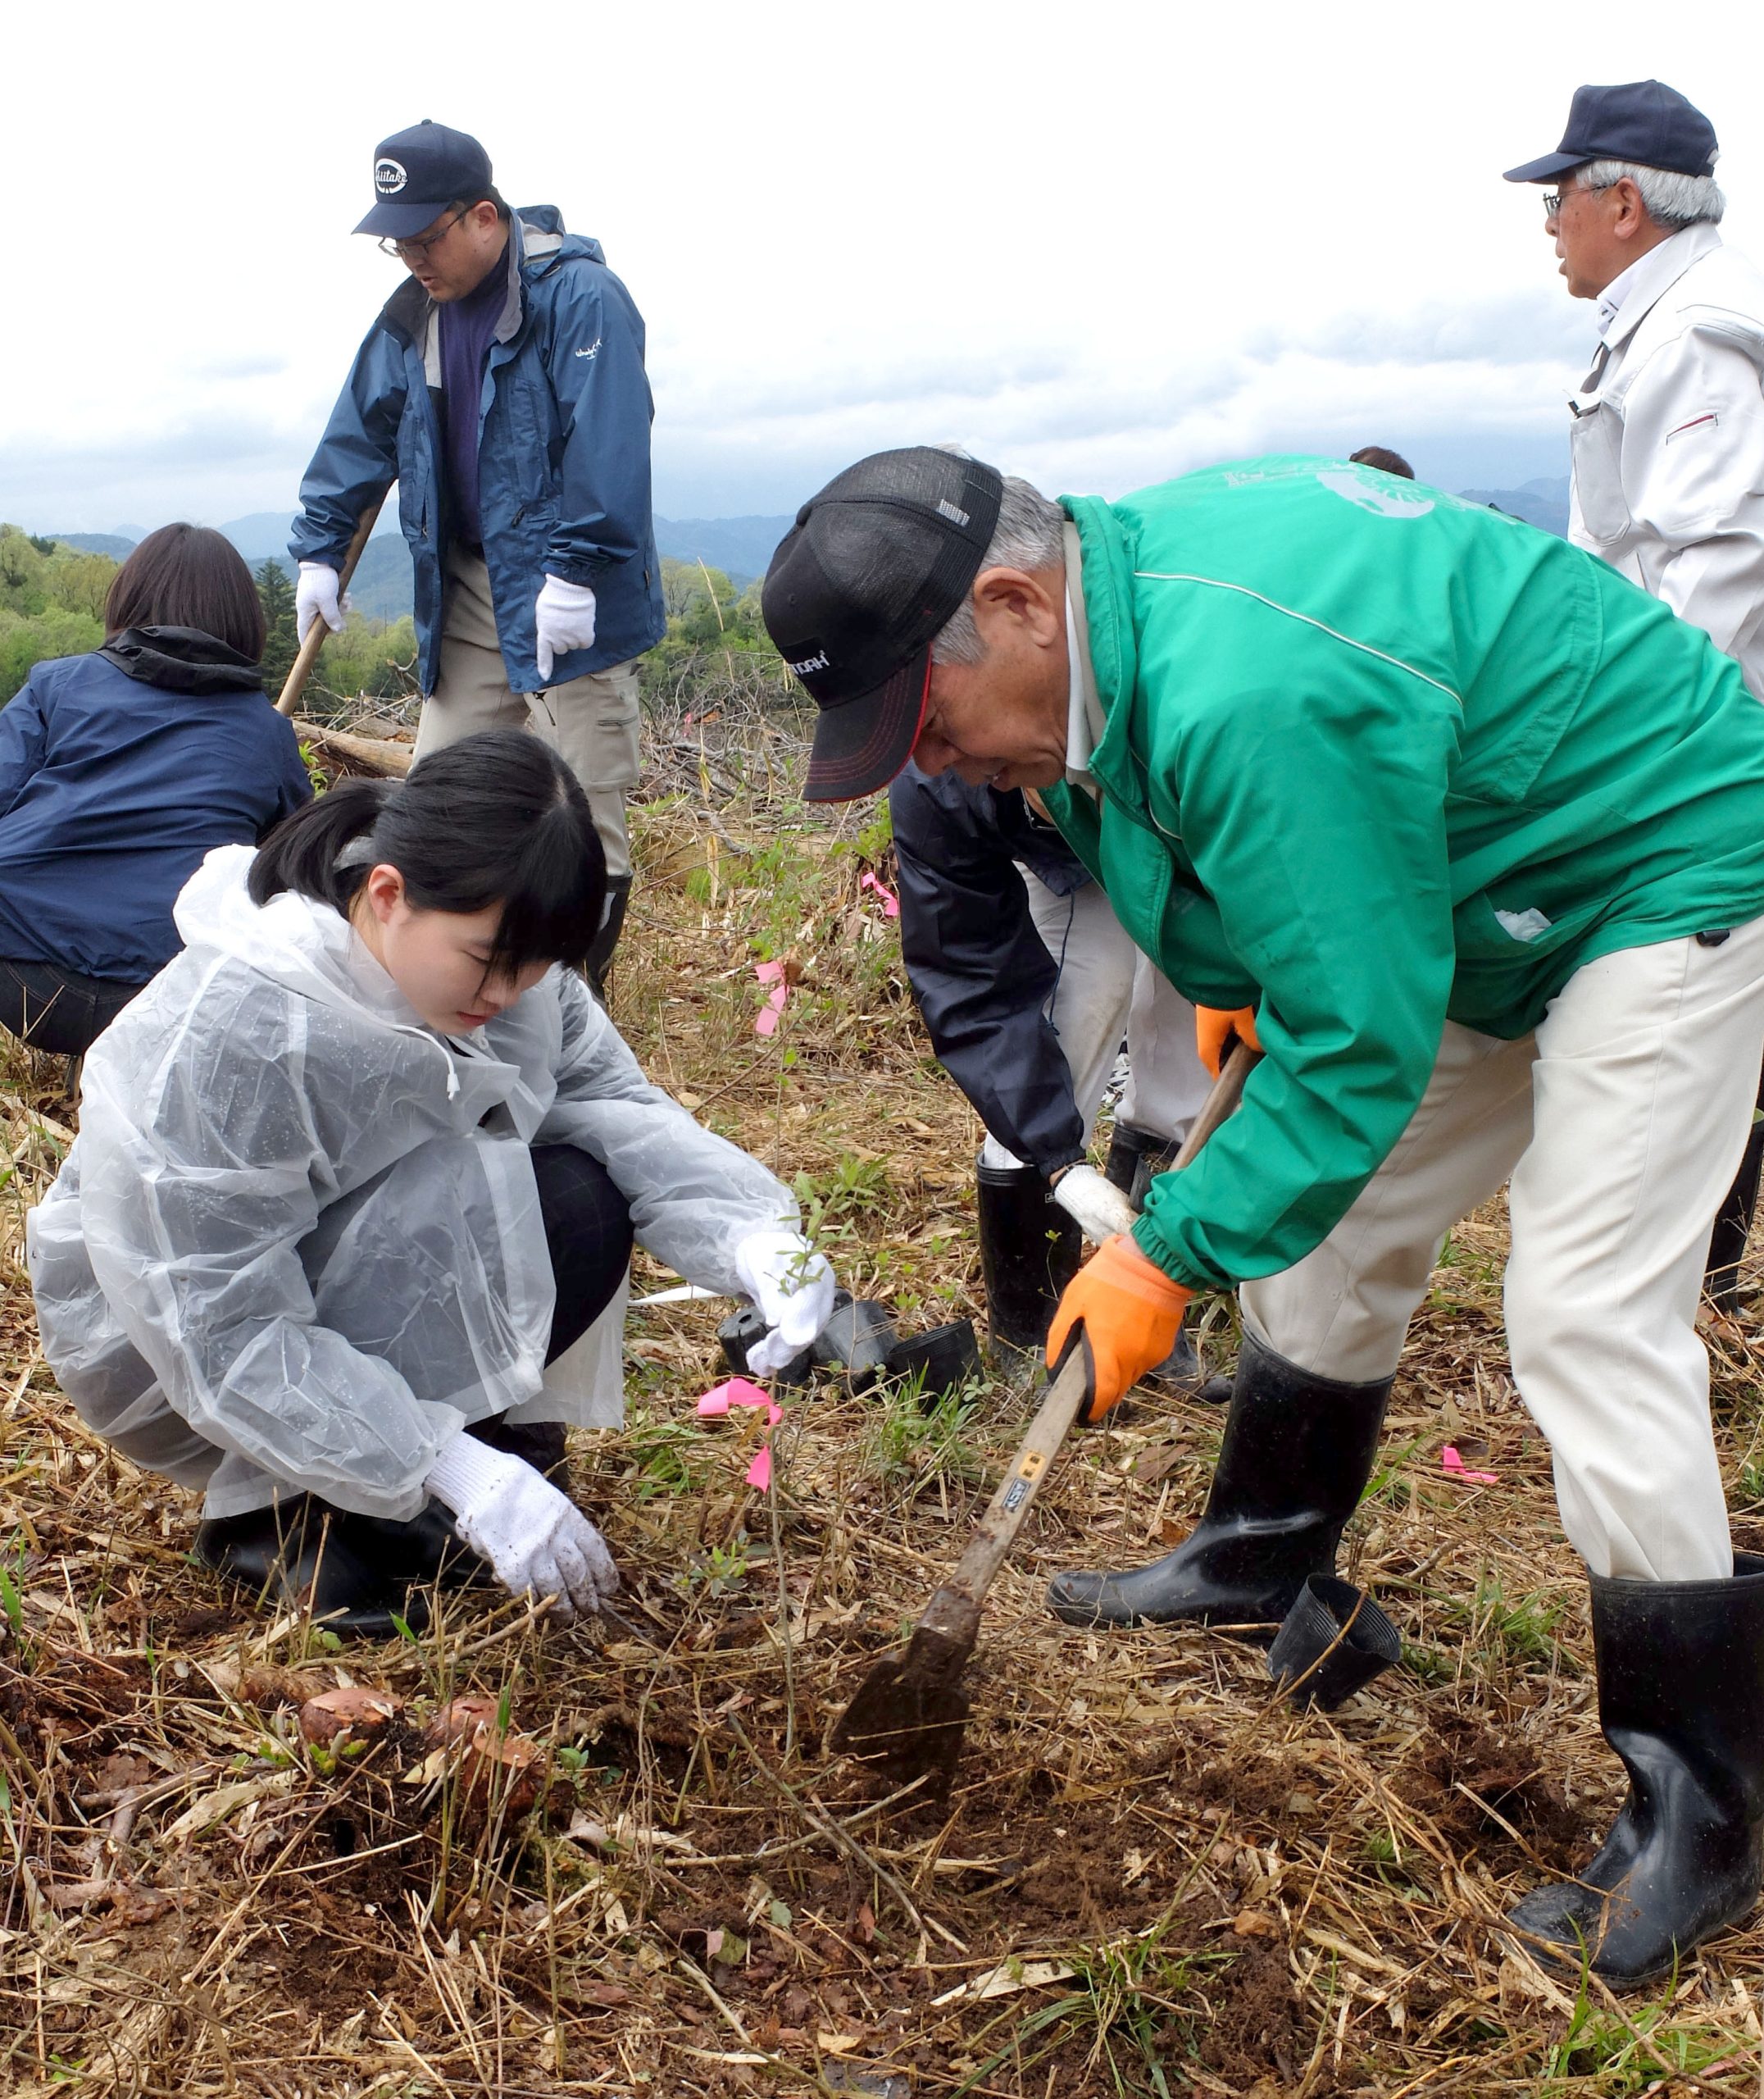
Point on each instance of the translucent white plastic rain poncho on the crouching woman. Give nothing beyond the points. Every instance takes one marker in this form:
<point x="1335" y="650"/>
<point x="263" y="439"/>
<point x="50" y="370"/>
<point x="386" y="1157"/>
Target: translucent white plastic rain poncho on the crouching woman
<point x="299" y="1233"/>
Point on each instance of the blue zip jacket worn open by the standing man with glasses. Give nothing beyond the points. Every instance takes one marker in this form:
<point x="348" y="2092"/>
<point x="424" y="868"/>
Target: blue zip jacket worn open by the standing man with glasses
<point x="563" y="454"/>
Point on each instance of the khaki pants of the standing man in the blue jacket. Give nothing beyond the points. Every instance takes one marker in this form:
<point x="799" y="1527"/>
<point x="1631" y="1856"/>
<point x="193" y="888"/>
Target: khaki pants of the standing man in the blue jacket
<point x="593" y="723"/>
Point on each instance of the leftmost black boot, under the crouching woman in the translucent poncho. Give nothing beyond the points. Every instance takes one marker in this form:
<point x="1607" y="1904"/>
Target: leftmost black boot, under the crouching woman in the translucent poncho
<point x="299" y="1554"/>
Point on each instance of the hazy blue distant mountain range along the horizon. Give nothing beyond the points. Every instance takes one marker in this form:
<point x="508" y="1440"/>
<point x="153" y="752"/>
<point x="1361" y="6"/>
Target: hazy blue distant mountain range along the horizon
<point x="739" y="547"/>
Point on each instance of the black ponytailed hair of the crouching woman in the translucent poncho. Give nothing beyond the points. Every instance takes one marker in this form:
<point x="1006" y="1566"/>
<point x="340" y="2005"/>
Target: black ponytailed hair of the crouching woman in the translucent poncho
<point x="494" y="820"/>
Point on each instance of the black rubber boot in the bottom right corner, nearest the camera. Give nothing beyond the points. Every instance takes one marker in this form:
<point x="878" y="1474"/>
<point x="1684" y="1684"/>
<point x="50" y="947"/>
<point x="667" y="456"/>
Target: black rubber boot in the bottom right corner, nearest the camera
<point x="1681" y="1699"/>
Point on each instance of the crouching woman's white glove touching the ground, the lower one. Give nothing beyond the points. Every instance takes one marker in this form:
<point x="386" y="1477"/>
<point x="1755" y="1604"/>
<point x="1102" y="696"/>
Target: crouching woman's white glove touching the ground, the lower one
<point x="536" y="1538"/>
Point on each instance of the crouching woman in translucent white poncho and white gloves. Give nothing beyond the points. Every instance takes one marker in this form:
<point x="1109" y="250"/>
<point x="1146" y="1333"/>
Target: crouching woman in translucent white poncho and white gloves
<point x="356" y="1168"/>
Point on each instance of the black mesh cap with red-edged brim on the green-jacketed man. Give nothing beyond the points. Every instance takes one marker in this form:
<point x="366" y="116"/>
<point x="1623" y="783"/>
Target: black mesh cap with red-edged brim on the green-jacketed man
<point x="867" y="576"/>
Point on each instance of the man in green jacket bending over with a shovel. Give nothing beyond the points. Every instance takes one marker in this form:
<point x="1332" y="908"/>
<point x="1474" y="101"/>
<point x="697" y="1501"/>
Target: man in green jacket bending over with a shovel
<point x="1476" y="830"/>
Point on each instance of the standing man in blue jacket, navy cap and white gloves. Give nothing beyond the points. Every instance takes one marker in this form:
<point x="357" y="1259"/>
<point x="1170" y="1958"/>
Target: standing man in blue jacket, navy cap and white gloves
<point x="504" y="389"/>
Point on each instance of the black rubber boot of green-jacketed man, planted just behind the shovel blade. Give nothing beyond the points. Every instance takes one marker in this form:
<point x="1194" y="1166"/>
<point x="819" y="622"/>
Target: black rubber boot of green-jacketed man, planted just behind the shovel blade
<point x="1295" y="1462"/>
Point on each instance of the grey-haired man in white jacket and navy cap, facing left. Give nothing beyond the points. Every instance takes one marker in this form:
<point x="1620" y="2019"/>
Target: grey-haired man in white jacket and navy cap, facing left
<point x="1669" y="425"/>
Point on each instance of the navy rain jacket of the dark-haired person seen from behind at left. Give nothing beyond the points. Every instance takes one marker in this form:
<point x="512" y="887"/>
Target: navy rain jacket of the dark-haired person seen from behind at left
<point x="119" y="773"/>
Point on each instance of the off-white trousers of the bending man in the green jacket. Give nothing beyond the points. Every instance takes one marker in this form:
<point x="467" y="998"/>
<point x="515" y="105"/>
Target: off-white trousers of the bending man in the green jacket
<point x="1620" y="1124"/>
